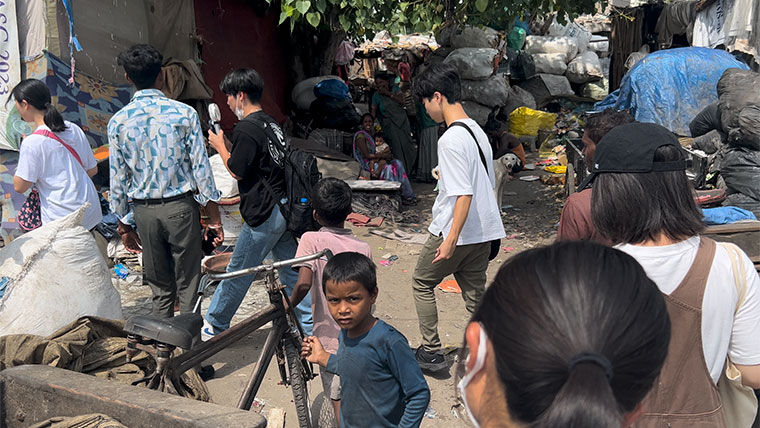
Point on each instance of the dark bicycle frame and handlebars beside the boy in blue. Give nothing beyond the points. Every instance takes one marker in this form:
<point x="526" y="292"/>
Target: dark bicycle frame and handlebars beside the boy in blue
<point x="276" y="312"/>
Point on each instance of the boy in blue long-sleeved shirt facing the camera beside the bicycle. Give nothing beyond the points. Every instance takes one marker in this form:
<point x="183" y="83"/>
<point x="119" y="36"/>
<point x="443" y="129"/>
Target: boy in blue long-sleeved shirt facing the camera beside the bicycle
<point x="381" y="383"/>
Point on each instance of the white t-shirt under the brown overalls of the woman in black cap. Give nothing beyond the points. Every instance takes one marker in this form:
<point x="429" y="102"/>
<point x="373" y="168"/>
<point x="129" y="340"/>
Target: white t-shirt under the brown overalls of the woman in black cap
<point x="722" y="332"/>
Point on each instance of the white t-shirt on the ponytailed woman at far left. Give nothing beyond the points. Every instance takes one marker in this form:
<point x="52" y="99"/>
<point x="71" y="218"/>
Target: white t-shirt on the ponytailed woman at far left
<point x="62" y="182"/>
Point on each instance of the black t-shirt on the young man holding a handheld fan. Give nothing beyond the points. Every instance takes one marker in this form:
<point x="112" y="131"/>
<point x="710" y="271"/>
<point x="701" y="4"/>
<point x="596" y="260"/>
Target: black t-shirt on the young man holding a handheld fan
<point x="252" y="161"/>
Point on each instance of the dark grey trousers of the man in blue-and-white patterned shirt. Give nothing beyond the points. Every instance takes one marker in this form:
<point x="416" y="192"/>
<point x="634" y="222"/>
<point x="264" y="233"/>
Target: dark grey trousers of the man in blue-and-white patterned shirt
<point x="171" y="238"/>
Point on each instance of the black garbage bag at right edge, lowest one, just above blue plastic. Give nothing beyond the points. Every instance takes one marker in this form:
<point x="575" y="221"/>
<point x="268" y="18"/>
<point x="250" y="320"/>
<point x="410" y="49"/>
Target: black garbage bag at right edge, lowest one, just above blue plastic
<point x="740" y="168"/>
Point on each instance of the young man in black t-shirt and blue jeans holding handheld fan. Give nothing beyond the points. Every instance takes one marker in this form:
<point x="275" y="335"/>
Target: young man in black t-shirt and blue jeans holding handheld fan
<point x="257" y="157"/>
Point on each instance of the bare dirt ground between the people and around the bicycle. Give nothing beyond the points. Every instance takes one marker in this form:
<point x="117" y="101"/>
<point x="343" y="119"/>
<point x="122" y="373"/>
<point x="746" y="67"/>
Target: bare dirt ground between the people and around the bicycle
<point x="529" y="222"/>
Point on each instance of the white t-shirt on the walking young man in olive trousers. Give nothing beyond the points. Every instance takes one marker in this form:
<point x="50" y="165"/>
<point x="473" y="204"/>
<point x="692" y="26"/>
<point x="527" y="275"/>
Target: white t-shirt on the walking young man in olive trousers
<point x="461" y="174"/>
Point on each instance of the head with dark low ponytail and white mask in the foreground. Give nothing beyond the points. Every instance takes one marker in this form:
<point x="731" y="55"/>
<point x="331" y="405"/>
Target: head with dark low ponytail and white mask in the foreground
<point x="570" y="335"/>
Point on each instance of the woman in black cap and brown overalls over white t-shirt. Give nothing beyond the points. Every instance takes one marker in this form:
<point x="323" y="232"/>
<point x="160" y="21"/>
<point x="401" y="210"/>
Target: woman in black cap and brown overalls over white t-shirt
<point x="643" y="202"/>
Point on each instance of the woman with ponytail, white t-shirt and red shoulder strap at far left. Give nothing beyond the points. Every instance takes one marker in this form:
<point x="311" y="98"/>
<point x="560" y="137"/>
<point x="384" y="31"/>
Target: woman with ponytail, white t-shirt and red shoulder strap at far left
<point x="63" y="183"/>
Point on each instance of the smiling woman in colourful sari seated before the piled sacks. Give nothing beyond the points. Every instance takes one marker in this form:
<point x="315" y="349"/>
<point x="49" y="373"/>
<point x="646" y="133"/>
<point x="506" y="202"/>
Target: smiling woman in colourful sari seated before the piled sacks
<point x="381" y="165"/>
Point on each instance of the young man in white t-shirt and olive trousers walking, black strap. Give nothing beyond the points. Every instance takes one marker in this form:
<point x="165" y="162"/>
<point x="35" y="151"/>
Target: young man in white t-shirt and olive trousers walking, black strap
<point x="465" y="215"/>
